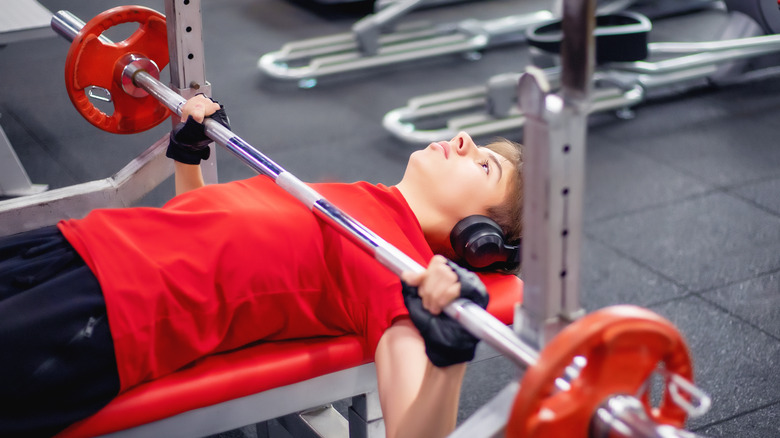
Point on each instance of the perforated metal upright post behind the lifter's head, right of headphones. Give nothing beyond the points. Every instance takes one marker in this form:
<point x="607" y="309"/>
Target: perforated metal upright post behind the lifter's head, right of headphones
<point x="554" y="171"/>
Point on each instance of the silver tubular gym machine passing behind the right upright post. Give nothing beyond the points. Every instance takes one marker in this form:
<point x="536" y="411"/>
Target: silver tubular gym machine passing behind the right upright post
<point x="659" y="69"/>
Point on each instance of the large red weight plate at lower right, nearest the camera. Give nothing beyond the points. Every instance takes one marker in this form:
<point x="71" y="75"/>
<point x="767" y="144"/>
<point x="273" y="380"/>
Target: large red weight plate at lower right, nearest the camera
<point x="623" y="346"/>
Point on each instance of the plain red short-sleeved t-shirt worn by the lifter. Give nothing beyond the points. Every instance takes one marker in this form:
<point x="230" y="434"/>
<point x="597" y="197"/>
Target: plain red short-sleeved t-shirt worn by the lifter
<point x="229" y="264"/>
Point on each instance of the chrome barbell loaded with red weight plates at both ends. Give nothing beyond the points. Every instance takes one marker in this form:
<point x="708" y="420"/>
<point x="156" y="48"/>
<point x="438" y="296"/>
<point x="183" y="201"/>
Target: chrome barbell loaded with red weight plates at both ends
<point x="617" y="348"/>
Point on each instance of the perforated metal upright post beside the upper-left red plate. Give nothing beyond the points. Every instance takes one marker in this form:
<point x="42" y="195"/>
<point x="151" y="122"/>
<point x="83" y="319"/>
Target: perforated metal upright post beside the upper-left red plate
<point x="187" y="61"/>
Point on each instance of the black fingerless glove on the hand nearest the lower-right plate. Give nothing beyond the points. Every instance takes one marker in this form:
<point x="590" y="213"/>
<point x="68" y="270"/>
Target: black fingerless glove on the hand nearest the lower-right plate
<point x="446" y="341"/>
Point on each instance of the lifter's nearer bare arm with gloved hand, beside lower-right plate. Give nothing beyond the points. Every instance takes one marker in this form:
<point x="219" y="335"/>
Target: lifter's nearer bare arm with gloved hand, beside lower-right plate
<point x="428" y="352"/>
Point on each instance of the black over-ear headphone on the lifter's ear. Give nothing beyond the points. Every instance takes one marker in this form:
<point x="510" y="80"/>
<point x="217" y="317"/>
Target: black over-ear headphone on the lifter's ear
<point x="480" y="243"/>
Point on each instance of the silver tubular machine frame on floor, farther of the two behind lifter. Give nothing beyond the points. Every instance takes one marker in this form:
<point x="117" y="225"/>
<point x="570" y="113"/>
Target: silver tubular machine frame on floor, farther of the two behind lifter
<point x="379" y="40"/>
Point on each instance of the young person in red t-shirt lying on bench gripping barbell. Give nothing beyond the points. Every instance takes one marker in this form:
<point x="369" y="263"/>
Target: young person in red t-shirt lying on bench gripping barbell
<point x="94" y="306"/>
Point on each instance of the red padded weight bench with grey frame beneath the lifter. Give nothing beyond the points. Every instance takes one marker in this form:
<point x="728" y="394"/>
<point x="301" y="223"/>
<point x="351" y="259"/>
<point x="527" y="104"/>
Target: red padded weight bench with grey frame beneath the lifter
<point x="258" y="383"/>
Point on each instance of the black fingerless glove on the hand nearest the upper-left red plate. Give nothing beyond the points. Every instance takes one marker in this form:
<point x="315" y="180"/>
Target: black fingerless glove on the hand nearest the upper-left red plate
<point x="188" y="142"/>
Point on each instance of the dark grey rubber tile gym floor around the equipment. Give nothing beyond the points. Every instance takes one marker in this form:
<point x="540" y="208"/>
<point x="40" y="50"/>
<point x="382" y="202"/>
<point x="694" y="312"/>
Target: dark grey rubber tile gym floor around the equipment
<point x="682" y="208"/>
